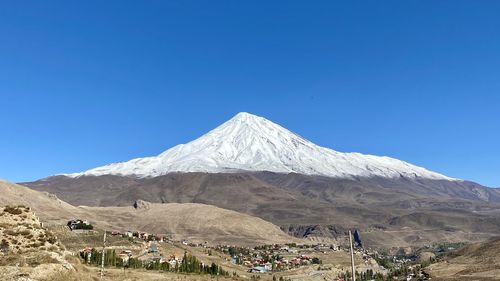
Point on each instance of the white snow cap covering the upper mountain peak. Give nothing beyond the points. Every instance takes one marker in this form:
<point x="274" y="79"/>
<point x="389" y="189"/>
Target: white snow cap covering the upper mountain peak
<point x="251" y="143"/>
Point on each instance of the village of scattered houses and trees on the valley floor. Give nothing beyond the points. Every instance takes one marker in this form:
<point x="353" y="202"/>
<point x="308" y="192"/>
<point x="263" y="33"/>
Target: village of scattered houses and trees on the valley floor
<point x="149" y="249"/>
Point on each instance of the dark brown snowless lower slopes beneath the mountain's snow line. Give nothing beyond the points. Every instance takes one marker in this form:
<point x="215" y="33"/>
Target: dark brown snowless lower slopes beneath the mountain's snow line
<point x="388" y="212"/>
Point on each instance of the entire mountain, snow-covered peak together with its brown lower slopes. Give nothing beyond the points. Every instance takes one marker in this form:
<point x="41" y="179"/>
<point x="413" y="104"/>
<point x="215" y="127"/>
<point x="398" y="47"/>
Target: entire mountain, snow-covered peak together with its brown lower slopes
<point x="253" y="166"/>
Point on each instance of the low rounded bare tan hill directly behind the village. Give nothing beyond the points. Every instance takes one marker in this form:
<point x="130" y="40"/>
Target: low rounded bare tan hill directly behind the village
<point x="195" y="222"/>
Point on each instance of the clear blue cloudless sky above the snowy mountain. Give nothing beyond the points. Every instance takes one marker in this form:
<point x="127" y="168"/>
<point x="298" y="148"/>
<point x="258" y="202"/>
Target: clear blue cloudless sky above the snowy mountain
<point x="86" y="83"/>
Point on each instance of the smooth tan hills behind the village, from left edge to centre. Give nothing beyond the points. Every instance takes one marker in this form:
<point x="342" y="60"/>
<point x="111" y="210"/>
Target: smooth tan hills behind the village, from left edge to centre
<point x="198" y="222"/>
